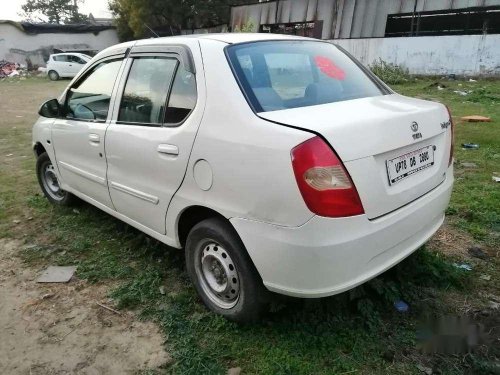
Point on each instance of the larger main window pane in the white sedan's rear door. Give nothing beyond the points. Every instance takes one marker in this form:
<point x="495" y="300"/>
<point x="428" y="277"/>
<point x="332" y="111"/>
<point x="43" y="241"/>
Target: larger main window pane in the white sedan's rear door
<point x="146" y="90"/>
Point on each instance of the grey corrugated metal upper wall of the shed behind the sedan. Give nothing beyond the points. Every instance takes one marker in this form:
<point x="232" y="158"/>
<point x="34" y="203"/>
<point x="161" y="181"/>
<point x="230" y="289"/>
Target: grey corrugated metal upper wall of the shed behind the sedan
<point x="341" y="18"/>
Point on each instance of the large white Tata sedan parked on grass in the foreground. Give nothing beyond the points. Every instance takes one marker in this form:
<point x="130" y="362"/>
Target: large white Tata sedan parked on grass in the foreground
<point x="278" y="163"/>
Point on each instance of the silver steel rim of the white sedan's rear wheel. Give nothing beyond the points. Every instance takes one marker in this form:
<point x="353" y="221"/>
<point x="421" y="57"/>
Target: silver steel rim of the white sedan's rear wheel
<point x="218" y="275"/>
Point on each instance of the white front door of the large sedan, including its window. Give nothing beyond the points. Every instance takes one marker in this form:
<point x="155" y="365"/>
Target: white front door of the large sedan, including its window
<point x="79" y="137"/>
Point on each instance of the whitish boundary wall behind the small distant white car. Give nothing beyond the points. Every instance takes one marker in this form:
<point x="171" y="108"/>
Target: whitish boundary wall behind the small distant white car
<point x="20" y="47"/>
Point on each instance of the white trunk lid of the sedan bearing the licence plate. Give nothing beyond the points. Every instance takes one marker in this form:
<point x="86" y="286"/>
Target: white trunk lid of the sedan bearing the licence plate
<point x="370" y="133"/>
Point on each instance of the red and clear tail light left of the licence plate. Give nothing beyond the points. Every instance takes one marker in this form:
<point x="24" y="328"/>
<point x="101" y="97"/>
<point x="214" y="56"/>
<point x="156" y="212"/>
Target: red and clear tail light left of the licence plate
<point x="323" y="181"/>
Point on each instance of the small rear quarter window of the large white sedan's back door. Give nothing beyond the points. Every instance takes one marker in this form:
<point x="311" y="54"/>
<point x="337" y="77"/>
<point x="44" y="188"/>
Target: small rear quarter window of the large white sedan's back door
<point x="182" y="97"/>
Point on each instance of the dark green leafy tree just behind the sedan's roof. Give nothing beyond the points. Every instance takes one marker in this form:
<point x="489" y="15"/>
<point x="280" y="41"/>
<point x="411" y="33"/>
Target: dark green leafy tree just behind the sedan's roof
<point x="133" y="18"/>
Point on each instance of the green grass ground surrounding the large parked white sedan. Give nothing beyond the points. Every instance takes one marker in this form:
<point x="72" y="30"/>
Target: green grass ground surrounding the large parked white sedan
<point x="355" y="332"/>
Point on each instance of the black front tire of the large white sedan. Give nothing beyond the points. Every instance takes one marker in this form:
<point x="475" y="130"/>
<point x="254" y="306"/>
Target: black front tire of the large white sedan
<point x="56" y="197"/>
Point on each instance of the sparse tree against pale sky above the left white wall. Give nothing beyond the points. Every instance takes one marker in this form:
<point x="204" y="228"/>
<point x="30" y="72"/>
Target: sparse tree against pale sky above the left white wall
<point x="53" y="11"/>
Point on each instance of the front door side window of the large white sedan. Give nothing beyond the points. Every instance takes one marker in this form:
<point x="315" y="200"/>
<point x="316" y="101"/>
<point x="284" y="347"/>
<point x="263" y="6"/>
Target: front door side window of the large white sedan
<point x="89" y="99"/>
